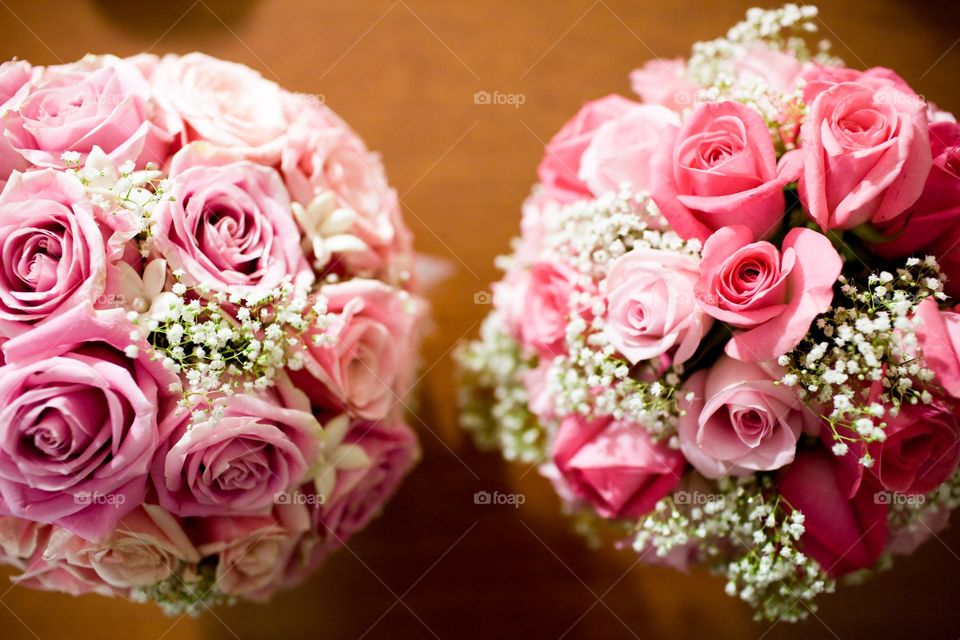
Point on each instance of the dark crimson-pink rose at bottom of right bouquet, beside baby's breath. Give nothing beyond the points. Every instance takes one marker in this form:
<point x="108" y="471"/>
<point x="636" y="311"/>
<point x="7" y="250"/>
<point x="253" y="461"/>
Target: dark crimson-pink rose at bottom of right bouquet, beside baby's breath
<point x="842" y="534"/>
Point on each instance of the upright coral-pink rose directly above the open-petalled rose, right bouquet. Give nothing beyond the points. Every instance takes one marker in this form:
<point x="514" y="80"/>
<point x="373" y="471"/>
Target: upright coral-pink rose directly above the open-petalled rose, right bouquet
<point x="719" y="169"/>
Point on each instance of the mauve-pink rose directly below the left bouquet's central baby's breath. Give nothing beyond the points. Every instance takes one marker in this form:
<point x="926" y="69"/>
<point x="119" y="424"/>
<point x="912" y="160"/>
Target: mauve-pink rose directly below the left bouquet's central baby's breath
<point x="240" y="462"/>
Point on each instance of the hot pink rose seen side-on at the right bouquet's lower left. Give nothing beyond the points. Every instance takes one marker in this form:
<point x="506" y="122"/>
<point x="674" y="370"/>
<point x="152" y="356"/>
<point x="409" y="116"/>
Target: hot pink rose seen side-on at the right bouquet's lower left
<point x="615" y="466"/>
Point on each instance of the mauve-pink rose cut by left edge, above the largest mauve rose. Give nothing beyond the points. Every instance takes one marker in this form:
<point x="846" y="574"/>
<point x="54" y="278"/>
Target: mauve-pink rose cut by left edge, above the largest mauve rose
<point x="54" y="255"/>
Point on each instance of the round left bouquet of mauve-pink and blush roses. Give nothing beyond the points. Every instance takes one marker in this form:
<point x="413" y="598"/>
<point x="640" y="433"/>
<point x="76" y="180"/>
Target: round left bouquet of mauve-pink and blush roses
<point x="208" y="325"/>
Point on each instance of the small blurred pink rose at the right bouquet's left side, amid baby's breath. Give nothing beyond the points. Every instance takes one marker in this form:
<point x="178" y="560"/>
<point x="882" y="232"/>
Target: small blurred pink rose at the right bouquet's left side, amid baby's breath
<point x="545" y="307"/>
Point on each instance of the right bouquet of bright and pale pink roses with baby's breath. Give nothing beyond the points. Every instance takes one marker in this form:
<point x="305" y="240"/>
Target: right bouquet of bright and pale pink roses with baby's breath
<point x="726" y="332"/>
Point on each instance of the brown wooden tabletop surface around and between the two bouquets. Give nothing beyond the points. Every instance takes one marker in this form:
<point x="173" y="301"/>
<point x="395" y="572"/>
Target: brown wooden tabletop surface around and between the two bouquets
<point x="404" y="74"/>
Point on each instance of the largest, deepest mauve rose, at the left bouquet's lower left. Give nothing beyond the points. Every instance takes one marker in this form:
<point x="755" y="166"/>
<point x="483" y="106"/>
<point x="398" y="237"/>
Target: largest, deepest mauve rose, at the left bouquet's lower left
<point x="78" y="424"/>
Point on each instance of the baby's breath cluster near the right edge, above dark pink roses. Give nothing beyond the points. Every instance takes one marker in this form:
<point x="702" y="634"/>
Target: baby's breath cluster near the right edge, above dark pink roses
<point x="869" y="344"/>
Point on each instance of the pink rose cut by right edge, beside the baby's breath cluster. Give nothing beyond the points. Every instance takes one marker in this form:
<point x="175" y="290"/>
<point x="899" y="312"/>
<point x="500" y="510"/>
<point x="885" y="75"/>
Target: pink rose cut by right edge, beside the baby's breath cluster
<point x="938" y="336"/>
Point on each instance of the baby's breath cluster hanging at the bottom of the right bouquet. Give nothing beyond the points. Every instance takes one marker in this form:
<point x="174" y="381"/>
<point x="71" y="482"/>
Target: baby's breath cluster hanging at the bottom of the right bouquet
<point x="746" y="536"/>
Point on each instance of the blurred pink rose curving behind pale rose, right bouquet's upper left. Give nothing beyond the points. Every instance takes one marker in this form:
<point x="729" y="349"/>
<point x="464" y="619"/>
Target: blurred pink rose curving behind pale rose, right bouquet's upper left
<point x="559" y="171"/>
